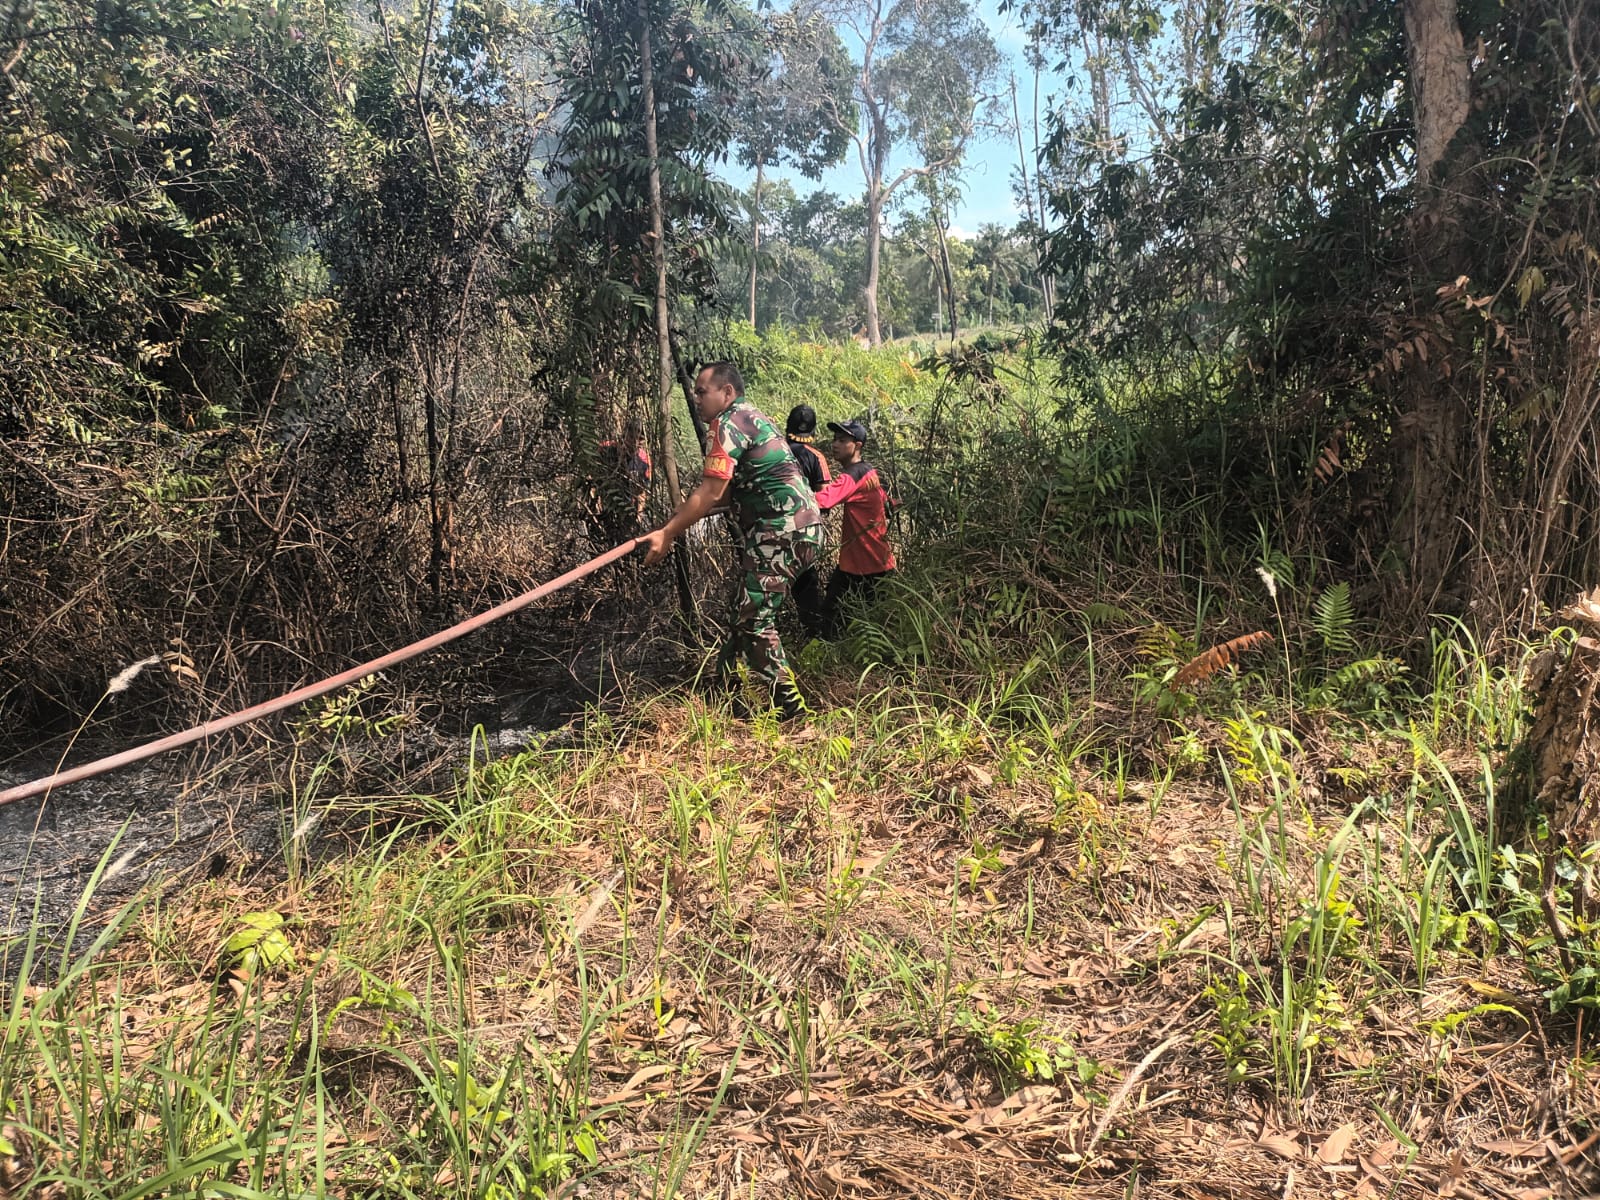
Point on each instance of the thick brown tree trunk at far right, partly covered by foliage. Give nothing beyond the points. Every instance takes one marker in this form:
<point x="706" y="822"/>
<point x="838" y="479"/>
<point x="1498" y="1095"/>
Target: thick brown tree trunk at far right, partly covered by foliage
<point x="1438" y="423"/>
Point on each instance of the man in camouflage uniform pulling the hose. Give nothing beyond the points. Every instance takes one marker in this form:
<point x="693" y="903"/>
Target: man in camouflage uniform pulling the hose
<point x="780" y="527"/>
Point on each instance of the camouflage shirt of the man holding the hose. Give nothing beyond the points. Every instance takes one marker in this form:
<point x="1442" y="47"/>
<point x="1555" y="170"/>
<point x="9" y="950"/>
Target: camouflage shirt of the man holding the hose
<point x="769" y="489"/>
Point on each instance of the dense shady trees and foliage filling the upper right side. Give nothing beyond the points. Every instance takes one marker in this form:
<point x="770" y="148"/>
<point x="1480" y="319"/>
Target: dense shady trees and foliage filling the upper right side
<point x="1364" y="247"/>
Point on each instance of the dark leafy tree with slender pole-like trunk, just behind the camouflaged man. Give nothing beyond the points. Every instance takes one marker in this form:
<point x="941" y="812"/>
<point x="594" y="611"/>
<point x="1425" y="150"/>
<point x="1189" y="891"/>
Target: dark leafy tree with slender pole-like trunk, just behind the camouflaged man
<point x="628" y="209"/>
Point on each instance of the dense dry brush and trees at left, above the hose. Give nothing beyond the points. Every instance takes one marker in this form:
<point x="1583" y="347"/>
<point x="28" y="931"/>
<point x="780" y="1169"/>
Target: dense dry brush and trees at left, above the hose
<point x="247" y="254"/>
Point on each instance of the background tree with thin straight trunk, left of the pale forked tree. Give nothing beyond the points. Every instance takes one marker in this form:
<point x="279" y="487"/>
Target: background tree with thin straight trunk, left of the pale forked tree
<point x="793" y="111"/>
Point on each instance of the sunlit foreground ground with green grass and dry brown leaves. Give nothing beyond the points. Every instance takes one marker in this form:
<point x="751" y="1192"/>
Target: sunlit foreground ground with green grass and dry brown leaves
<point x="1004" y="862"/>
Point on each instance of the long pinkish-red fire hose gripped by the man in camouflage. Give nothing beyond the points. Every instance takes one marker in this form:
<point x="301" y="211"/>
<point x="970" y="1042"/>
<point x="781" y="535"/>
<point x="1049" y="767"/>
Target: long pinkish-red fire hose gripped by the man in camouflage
<point x="311" y="690"/>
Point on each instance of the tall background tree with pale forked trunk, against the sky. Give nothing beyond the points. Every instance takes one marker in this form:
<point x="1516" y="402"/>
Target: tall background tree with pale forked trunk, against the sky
<point x="922" y="79"/>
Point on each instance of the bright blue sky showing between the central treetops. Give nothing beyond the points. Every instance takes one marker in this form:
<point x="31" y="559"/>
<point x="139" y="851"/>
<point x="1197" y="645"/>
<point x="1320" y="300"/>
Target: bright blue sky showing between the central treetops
<point x="991" y="162"/>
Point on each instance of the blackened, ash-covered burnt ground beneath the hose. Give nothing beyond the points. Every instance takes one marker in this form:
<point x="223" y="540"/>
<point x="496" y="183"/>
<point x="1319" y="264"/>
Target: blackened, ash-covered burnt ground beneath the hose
<point x="233" y="806"/>
